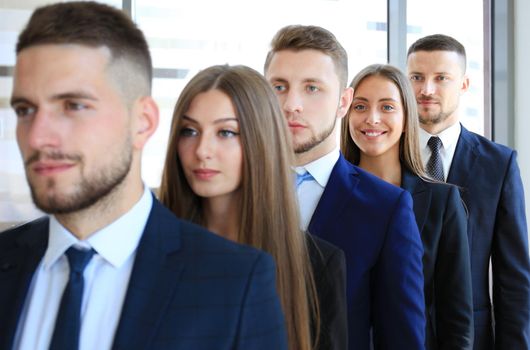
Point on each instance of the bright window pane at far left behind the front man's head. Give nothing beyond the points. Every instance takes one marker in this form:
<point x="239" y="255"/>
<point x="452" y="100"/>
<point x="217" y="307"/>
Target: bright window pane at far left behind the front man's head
<point x="15" y="201"/>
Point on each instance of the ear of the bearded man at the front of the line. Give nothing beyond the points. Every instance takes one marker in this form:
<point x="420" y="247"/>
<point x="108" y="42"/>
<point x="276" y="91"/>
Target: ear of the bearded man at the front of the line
<point x="146" y="116"/>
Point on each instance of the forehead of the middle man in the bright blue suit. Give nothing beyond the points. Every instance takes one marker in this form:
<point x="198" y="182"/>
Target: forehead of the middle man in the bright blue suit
<point x="295" y="66"/>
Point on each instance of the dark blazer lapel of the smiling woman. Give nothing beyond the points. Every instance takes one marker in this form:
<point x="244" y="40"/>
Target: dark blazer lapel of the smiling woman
<point x="421" y="196"/>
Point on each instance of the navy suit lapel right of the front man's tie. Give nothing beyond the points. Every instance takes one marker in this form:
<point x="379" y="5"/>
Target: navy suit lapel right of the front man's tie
<point x="153" y="281"/>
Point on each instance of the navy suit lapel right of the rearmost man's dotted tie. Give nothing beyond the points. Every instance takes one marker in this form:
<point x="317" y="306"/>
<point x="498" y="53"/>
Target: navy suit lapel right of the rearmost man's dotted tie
<point x="466" y="154"/>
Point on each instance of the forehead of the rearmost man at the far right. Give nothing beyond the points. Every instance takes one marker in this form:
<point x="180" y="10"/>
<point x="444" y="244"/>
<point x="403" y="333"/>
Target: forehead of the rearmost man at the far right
<point x="435" y="62"/>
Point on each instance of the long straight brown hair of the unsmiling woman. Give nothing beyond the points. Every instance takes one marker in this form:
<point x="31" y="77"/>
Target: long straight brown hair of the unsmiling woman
<point x="268" y="209"/>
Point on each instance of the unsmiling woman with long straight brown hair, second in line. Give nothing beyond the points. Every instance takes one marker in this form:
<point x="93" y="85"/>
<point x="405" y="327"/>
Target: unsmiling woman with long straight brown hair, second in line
<point x="228" y="168"/>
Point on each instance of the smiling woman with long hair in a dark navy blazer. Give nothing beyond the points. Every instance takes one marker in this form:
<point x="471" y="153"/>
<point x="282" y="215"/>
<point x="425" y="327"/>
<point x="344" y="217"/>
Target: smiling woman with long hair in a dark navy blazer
<point x="380" y="135"/>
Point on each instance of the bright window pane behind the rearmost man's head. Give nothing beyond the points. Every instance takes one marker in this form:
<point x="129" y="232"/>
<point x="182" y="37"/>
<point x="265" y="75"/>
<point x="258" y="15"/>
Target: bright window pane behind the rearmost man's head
<point x="465" y="25"/>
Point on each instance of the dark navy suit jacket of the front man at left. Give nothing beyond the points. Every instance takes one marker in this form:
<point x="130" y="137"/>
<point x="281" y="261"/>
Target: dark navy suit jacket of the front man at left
<point x="189" y="289"/>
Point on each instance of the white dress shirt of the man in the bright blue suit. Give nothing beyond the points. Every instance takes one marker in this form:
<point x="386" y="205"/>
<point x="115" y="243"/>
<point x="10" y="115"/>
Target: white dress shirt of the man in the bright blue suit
<point x="310" y="191"/>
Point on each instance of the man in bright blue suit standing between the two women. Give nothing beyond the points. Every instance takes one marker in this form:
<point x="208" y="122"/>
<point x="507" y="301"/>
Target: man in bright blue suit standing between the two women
<point x="371" y="220"/>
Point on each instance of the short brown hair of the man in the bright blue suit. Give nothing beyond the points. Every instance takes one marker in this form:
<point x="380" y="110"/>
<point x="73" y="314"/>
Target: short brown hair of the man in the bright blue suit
<point x="298" y="37"/>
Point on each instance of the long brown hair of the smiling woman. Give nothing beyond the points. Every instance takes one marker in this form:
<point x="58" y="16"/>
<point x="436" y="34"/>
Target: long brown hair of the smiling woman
<point x="409" y="148"/>
